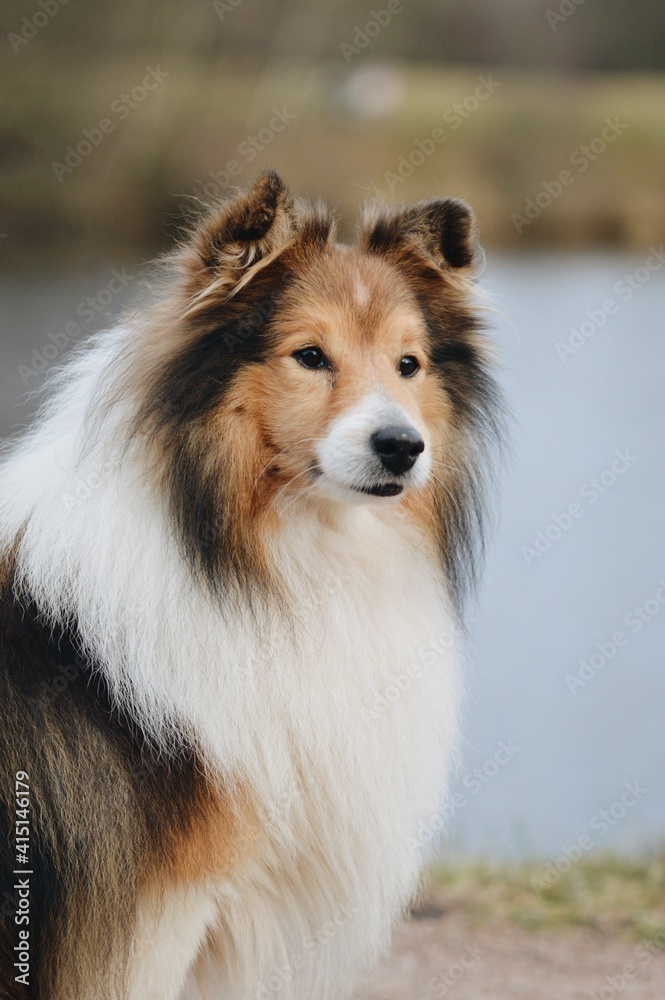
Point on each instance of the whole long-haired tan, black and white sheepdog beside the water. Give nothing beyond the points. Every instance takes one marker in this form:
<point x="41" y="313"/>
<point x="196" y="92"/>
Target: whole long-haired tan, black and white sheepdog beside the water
<point x="233" y="552"/>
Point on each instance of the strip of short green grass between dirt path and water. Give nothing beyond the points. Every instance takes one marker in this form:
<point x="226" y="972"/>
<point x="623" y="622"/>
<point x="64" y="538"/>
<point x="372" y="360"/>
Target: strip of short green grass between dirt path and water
<point x="609" y="894"/>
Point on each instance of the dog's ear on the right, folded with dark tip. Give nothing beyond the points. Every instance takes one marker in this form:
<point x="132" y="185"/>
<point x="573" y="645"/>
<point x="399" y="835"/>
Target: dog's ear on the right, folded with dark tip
<point x="442" y="231"/>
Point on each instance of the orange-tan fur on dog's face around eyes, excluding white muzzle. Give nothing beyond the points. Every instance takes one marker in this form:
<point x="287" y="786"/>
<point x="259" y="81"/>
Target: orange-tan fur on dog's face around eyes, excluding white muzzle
<point x="265" y="432"/>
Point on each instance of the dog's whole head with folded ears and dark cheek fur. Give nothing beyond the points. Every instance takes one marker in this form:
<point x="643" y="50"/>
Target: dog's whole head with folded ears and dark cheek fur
<point x="302" y="372"/>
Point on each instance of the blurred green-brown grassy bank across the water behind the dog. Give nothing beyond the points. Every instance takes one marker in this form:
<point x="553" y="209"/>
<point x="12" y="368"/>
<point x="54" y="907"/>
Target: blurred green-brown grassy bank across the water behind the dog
<point x="130" y="193"/>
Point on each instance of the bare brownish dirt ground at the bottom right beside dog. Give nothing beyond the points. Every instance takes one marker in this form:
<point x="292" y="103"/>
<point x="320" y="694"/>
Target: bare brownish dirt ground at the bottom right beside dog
<point x="440" y="953"/>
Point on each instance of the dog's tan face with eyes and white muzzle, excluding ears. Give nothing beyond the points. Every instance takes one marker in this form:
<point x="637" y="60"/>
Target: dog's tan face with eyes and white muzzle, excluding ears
<point x="344" y="401"/>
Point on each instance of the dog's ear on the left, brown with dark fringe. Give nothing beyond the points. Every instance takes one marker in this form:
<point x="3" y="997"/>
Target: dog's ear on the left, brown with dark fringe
<point x="241" y="232"/>
